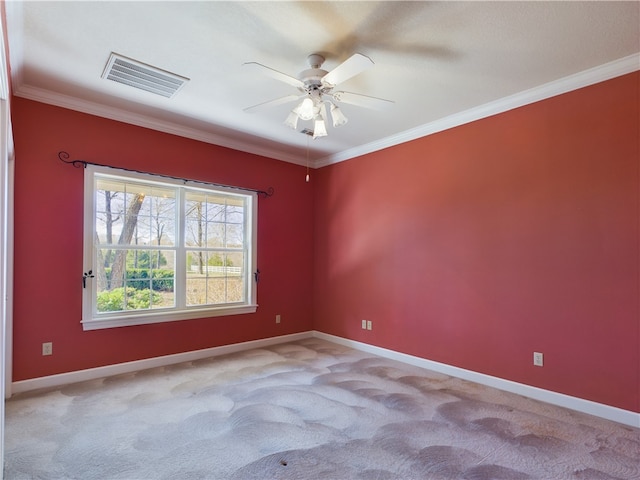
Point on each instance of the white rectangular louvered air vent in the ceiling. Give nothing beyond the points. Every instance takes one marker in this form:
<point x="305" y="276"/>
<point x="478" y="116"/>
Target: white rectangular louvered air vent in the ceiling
<point x="145" y="77"/>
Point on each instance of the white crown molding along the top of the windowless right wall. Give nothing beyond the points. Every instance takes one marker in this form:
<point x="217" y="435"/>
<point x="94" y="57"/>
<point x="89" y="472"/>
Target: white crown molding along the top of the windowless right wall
<point x="582" y="79"/>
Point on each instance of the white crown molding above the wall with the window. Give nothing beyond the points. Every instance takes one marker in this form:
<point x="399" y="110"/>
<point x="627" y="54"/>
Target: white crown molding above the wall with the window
<point x="65" y="101"/>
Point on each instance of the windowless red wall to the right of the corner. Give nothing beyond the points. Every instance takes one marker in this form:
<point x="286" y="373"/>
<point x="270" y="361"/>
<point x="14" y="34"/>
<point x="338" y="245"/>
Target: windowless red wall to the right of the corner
<point x="479" y="245"/>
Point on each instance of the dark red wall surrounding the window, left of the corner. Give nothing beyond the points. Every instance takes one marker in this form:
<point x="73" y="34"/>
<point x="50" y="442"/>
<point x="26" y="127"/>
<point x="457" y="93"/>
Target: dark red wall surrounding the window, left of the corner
<point x="48" y="240"/>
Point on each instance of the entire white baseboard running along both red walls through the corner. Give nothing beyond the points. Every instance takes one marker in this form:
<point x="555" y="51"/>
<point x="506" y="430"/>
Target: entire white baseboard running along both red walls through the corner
<point x="619" y="415"/>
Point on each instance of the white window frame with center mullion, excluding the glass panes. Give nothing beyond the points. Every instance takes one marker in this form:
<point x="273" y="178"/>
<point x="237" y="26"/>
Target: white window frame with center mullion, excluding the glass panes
<point x="91" y="320"/>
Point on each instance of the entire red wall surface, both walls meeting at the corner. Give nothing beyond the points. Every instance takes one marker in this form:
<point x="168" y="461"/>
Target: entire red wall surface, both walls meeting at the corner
<point x="473" y="247"/>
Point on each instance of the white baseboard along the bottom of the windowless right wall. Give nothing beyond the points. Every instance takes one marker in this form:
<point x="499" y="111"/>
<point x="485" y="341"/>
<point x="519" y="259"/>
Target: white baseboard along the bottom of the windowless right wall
<point x="573" y="403"/>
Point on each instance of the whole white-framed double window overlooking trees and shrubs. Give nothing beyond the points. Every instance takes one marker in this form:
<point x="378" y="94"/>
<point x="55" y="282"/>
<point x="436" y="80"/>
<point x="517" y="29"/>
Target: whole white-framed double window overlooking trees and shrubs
<point x="157" y="250"/>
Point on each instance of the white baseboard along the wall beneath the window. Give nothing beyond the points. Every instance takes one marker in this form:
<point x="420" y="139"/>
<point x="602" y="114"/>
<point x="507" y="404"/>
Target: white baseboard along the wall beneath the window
<point x="129" y="367"/>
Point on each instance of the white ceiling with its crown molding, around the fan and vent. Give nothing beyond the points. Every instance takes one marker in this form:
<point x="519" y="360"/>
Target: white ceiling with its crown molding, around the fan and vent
<point x="442" y="63"/>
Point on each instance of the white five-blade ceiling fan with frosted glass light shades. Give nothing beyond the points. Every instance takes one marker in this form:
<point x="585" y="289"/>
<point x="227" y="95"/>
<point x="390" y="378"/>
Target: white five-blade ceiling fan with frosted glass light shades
<point x="316" y="87"/>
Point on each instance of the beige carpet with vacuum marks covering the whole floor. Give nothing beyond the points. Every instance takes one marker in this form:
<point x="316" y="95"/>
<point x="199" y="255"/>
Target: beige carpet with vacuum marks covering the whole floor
<point x="305" y="410"/>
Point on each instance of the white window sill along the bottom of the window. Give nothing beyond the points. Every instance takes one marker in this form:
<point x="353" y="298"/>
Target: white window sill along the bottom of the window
<point x="161" y="317"/>
